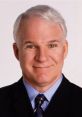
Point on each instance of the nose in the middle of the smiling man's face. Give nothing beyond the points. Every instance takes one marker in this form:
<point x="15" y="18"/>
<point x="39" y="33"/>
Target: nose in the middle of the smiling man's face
<point x="41" y="55"/>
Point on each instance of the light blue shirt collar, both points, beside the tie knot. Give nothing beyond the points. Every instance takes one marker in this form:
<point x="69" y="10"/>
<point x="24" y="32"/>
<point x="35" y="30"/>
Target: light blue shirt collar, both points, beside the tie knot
<point x="32" y="93"/>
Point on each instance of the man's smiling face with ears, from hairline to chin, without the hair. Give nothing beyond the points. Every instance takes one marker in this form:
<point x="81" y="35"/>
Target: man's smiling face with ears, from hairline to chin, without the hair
<point x="41" y="51"/>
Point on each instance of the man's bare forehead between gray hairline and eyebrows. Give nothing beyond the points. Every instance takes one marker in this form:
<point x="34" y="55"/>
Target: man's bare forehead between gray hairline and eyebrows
<point x="39" y="29"/>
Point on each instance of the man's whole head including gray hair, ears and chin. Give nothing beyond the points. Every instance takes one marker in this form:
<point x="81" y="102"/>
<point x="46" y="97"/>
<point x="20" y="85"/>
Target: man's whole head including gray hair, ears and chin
<point x="40" y="45"/>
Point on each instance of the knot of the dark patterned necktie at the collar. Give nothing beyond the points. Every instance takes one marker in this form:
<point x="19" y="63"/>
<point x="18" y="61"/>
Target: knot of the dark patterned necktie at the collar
<point x="39" y="100"/>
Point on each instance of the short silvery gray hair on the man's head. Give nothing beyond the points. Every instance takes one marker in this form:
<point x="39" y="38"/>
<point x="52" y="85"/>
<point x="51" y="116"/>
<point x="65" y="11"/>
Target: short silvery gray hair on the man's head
<point x="43" y="11"/>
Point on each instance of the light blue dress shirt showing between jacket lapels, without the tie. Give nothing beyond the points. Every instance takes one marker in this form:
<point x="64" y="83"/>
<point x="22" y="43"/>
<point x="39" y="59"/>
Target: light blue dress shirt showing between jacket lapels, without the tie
<point x="32" y="93"/>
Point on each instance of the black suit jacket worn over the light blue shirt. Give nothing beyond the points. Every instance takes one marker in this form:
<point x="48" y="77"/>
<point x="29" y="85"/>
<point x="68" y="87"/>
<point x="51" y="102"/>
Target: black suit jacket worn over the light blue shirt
<point x="66" y="102"/>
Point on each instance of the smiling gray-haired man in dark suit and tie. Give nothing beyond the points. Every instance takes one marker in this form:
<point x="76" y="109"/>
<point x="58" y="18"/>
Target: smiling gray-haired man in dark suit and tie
<point x="41" y="47"/>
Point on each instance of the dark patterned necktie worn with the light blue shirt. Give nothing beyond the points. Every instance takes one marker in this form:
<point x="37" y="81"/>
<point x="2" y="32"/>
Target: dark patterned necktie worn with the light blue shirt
<point x="38" y="102"/>
